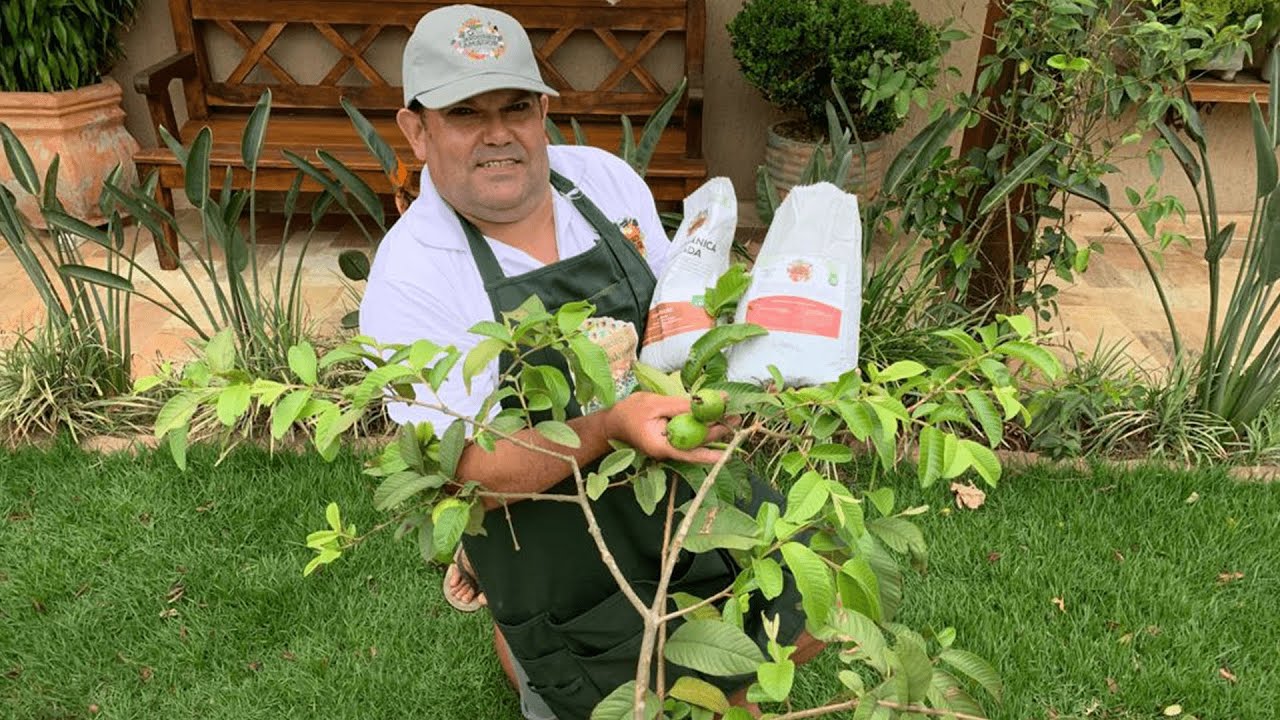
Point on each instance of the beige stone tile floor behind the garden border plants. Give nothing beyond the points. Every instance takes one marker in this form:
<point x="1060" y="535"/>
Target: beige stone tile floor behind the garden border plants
<point x="1114" y="302"/>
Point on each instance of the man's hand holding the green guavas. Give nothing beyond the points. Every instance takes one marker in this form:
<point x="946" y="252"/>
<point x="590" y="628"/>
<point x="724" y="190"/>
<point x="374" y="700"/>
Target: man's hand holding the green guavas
<point x="641" y="421"/>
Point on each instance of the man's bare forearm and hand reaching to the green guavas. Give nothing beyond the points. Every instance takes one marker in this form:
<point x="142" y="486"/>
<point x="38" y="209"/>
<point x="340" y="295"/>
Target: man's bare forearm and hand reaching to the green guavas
<point x="638" y="421"/>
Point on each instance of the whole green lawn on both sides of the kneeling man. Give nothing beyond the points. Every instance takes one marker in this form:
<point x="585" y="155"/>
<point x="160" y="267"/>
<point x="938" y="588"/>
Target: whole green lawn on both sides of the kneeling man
<point x="90" y="548"/>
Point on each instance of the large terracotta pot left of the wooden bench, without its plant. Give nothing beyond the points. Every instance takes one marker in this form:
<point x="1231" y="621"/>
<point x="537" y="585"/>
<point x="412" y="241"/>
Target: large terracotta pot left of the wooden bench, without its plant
<point x="85" y="129"/>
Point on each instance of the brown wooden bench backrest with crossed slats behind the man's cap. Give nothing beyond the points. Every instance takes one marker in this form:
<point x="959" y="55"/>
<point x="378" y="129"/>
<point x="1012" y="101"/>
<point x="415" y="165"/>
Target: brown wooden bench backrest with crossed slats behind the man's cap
<point x="624" y="49"/>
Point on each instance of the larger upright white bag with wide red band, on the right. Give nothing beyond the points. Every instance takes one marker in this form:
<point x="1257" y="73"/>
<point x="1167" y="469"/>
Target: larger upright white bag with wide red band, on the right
<point x="806" y="290"/>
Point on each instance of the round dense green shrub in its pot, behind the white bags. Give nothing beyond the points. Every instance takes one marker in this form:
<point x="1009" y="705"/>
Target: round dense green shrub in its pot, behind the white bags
<point x="880" y="57"/>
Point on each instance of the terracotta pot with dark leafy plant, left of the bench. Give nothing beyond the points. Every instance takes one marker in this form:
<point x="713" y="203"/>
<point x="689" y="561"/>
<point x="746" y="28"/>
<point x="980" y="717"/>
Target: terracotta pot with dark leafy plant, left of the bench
<point x="57" y="98"/>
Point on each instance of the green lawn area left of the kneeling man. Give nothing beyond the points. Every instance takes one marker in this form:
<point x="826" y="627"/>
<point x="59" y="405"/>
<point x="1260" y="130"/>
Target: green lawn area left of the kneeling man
<point x="90" y="549"/>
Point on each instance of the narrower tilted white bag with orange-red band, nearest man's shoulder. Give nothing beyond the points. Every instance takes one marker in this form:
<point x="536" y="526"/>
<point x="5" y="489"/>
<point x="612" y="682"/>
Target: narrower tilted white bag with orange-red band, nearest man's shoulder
<point x="700" y="258"/>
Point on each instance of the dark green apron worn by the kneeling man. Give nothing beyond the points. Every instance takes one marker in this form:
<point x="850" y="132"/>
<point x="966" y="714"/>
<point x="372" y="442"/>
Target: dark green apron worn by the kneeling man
<point x="557" y="605"/>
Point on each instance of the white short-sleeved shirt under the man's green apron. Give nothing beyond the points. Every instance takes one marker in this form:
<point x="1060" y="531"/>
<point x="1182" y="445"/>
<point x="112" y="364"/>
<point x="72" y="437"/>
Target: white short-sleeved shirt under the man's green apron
<point x="424" y="284"/>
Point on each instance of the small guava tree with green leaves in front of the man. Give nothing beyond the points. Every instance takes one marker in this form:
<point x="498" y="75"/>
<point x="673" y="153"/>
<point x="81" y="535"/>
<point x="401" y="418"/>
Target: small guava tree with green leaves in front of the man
<point x="842" y="537"/>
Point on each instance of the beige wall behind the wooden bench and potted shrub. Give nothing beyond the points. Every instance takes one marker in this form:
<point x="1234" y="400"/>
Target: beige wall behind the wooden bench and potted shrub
<point x="735" y="115"/>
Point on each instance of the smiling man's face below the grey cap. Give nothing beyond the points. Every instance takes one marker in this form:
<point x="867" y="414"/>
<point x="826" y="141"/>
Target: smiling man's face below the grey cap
<point x="487" y="156"/>
